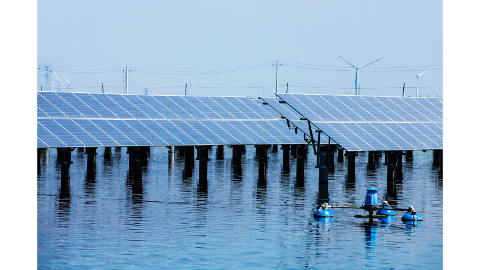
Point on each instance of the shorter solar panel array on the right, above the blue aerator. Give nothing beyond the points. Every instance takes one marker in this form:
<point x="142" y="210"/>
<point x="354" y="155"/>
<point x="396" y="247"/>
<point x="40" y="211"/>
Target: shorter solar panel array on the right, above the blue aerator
<point x="366" y="123"/>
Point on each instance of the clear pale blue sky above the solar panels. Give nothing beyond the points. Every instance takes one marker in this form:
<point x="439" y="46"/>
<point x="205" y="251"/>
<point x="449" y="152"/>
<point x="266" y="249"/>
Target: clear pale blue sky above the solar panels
<point x="231" y="48"/>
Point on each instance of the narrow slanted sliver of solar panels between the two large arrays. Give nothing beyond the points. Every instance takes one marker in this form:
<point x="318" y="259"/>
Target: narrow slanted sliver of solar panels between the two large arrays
<point x="293" y="116"/>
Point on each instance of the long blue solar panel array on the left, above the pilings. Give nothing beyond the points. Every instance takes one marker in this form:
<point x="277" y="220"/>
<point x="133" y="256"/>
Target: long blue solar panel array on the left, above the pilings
<point x="96" y="120"/>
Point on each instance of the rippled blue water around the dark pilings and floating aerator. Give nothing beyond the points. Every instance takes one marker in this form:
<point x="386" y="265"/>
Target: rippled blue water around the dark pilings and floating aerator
<point x="109" y="221"/>
